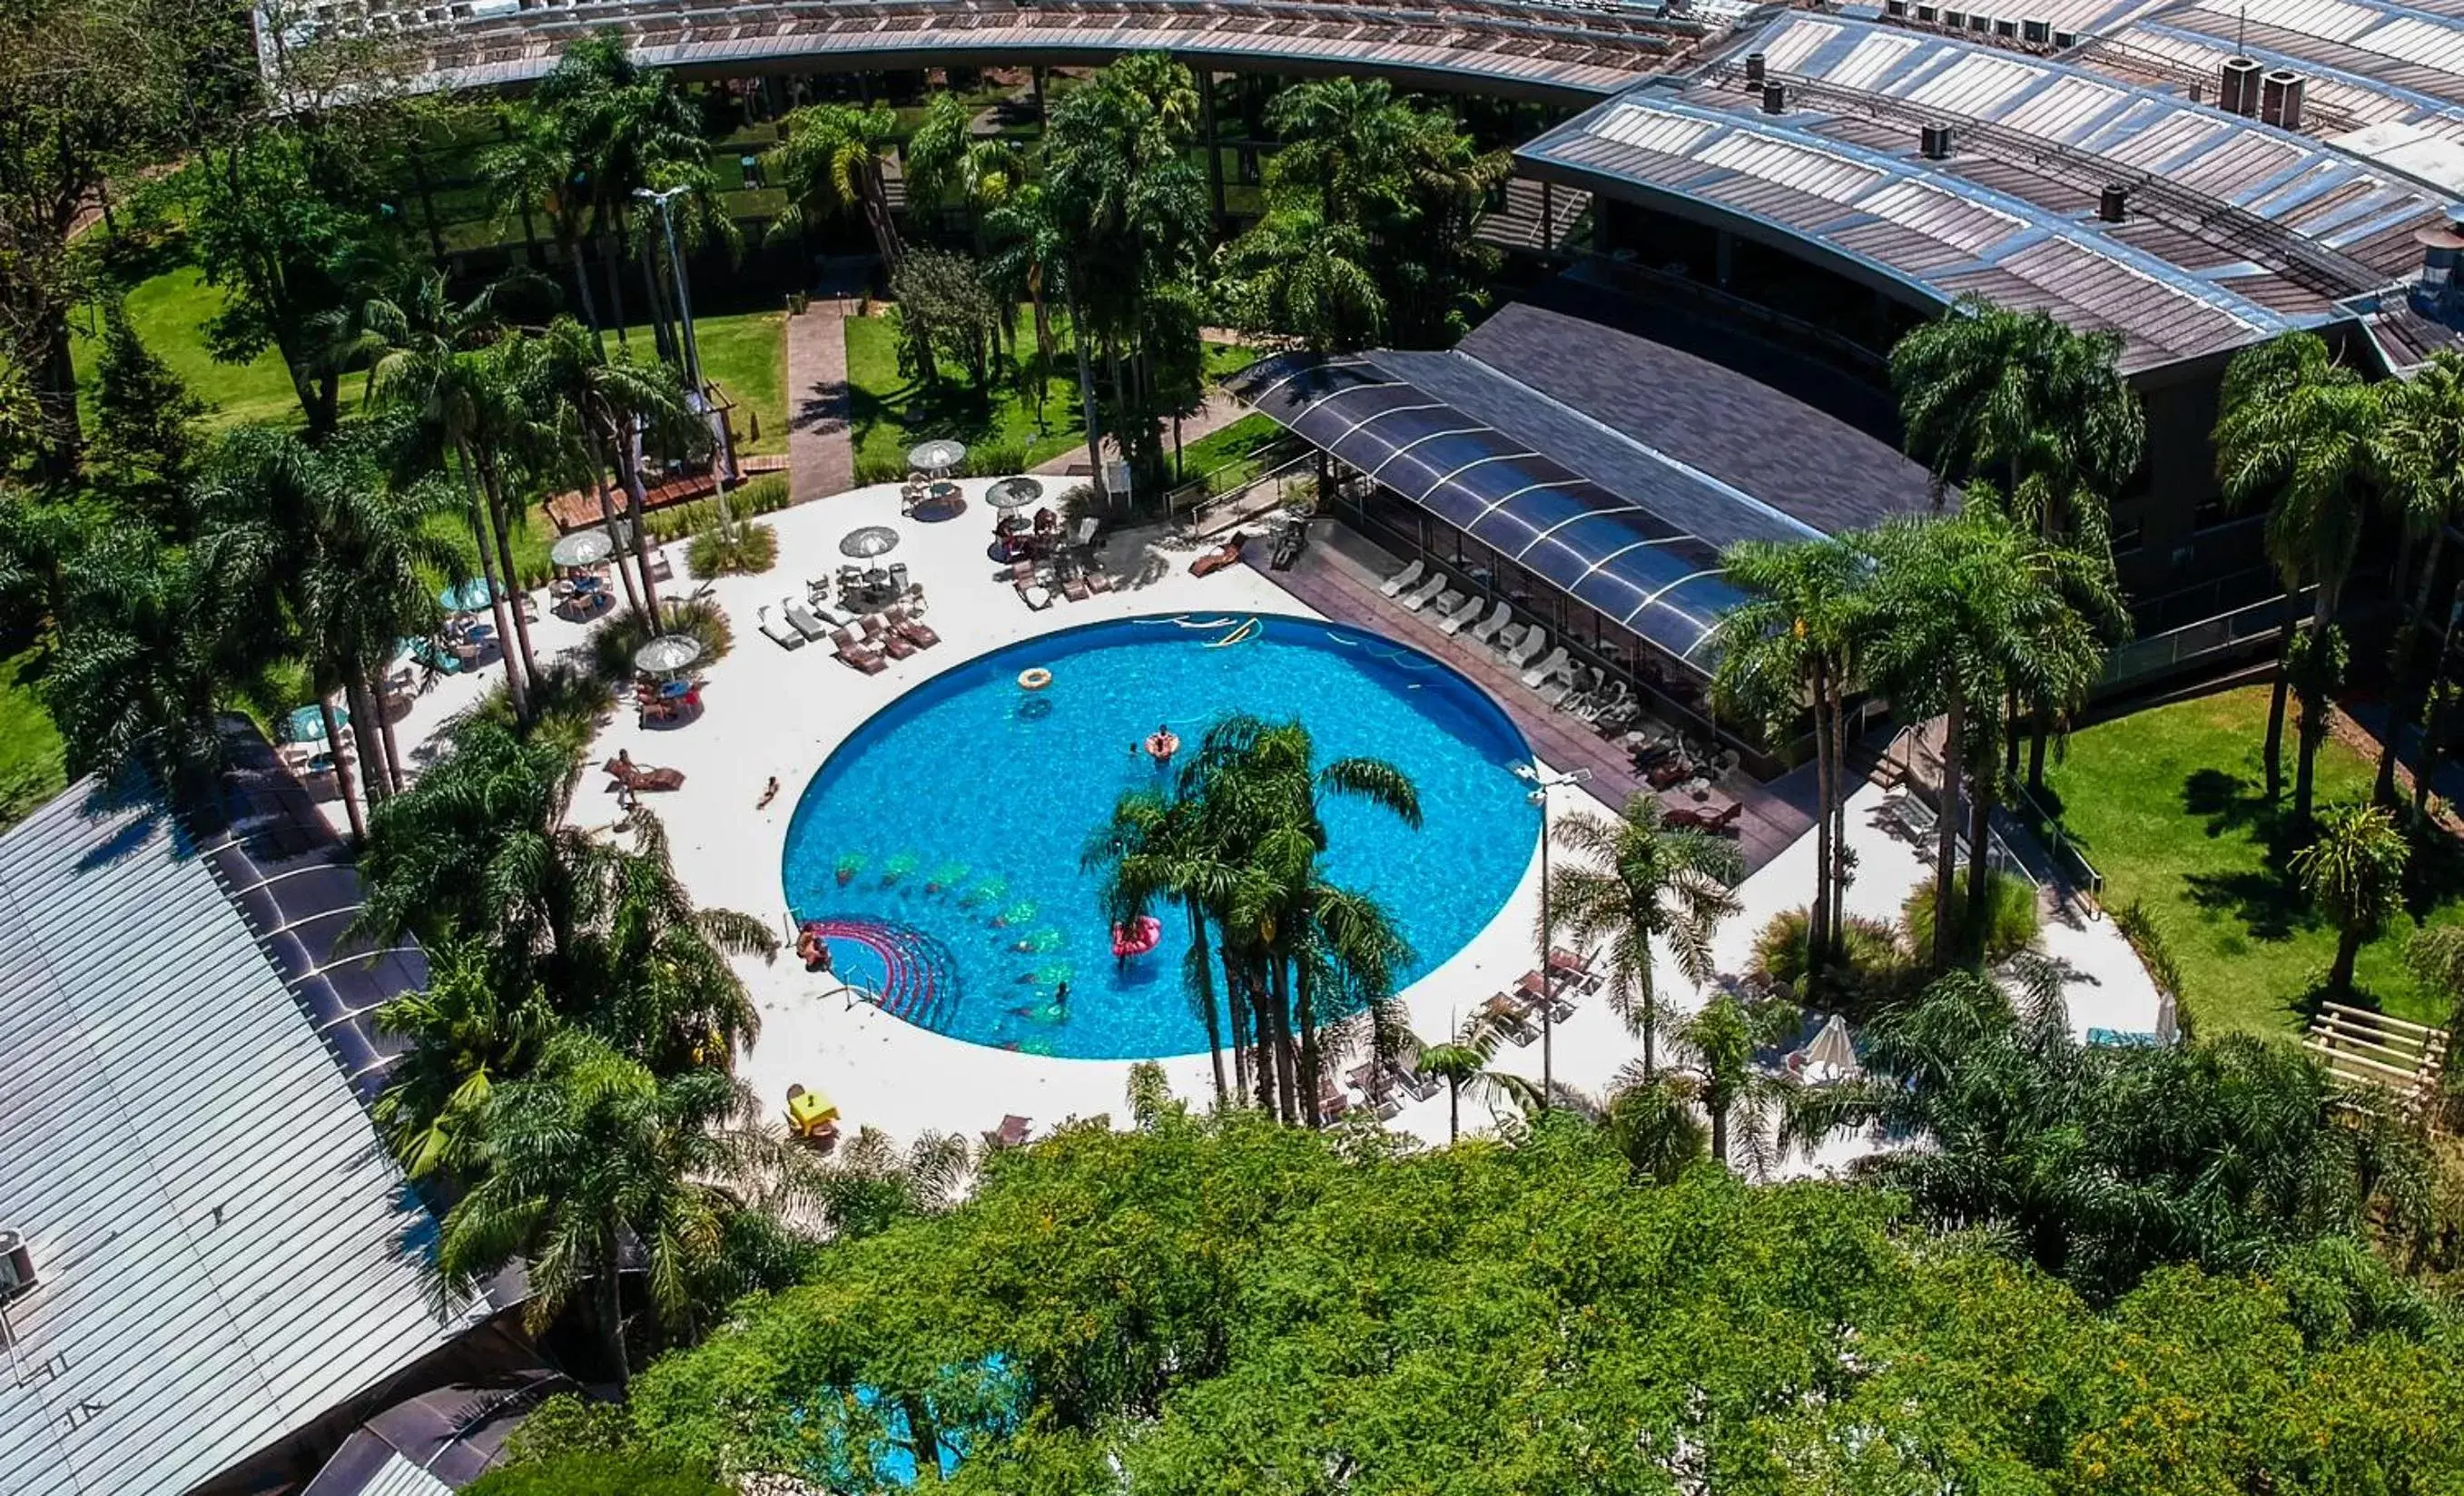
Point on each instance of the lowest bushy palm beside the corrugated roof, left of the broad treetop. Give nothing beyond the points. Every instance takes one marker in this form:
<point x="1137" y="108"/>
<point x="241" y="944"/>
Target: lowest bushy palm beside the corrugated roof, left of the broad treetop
<point x="593" y="1160"/>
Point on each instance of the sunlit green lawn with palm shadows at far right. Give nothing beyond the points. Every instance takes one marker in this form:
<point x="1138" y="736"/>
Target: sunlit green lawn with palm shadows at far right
<point x="2170" y="807"/>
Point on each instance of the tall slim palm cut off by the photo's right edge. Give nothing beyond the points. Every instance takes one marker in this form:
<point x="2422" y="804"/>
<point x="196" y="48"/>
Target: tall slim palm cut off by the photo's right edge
<point x="2421" y="455"/>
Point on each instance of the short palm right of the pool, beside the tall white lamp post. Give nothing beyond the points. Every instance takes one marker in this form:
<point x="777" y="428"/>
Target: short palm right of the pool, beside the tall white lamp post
<point x="1635" y="881"/>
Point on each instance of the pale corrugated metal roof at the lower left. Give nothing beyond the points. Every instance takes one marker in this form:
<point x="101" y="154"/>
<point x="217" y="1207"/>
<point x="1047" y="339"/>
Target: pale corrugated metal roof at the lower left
<point x="223" y="1243"/>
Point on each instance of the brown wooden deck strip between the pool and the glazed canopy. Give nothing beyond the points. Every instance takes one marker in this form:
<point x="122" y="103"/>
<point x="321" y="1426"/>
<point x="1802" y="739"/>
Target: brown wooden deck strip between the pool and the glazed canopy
<point x="1339" y="575"/>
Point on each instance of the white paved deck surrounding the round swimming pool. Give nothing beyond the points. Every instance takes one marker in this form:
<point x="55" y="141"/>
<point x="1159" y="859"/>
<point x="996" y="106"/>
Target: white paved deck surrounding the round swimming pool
<point x="772" y="711"/>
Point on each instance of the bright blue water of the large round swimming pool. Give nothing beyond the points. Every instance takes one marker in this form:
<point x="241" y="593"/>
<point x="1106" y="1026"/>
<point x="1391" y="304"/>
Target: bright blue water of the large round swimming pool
<point x="940" y="847"/>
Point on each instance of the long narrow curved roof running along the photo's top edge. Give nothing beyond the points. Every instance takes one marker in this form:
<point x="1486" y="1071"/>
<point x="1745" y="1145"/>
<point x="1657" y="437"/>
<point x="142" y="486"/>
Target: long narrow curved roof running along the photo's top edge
<point x="1509" y="46"/>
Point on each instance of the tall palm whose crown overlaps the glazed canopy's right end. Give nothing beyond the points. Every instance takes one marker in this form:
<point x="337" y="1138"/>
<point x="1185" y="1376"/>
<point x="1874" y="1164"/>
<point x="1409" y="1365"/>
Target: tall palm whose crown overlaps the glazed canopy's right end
<point x="1793" y="647"/>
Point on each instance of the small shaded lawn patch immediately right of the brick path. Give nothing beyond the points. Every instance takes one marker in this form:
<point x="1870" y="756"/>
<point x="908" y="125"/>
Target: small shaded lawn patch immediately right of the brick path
<point x="891" y="413"/>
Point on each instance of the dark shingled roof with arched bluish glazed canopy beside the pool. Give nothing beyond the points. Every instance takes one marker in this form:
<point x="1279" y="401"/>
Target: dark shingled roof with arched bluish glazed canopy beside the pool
<point x="1586" y="497"/>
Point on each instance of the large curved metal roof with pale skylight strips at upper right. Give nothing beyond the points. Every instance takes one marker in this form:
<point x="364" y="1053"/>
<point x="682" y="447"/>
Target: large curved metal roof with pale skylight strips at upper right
<point x="2236" y="230"/>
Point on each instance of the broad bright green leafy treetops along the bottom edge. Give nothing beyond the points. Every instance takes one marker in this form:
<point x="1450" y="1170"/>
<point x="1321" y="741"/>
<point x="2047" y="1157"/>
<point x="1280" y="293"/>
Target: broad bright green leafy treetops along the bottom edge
<point x="1236" y="1307"/>
